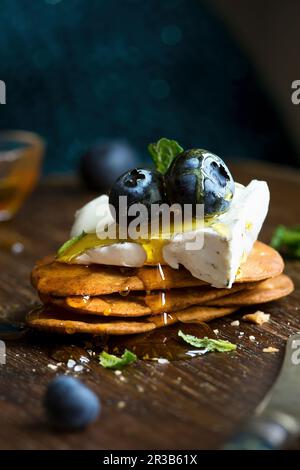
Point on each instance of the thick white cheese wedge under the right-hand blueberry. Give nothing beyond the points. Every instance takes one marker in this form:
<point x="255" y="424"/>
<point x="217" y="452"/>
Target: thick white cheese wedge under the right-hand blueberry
<point x="223" y="250"/>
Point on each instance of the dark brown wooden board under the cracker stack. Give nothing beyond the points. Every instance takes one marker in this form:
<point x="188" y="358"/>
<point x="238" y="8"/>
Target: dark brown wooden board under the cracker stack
<point x="195" y="404"/>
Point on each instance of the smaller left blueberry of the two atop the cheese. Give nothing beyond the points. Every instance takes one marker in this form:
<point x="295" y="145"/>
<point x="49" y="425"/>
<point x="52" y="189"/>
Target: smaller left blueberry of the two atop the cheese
<point x="141" y="186"/>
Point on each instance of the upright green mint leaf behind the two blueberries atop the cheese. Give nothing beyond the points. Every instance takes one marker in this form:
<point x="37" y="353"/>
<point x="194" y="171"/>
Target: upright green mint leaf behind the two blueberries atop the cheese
<point x="163" y="152"/>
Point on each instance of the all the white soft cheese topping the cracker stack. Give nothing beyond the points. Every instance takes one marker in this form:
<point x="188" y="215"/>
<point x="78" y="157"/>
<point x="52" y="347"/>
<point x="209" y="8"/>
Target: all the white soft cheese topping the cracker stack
<point x="227" y="241"/>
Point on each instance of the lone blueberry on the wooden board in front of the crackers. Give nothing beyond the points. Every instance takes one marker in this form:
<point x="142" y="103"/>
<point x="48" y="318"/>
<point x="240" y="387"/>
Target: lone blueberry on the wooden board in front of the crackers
<point x="70" y="404"/>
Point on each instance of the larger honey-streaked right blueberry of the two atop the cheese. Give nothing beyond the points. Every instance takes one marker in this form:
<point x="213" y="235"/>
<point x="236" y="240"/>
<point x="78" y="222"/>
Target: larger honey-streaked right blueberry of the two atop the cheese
<point x="197" y="176"/>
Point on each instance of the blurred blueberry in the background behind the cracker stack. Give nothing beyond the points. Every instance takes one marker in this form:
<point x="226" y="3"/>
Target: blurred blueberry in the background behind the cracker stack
<point x="104" y="162"/>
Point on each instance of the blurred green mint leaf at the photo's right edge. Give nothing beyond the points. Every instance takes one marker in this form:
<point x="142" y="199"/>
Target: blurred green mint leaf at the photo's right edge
<point x="287" y="240"/>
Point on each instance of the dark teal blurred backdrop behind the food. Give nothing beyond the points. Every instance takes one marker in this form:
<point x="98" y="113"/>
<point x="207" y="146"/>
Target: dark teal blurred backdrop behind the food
<point x="76" y="70"/>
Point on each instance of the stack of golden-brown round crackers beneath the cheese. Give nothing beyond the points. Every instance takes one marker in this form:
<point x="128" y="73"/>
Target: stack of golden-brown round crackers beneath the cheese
<point x="100" y="299"/>
